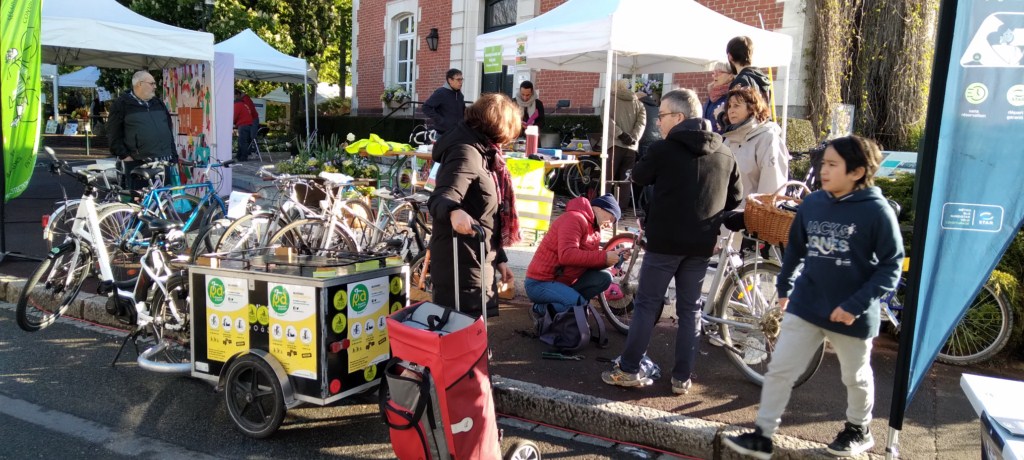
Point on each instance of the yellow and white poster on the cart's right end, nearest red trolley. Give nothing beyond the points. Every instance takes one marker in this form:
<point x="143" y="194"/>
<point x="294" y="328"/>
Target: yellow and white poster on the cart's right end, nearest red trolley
<point x="368" y="309"/>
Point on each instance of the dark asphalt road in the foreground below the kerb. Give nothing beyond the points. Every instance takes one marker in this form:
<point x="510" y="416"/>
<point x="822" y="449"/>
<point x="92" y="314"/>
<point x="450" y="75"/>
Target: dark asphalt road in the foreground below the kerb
<point x="60" y="398"/>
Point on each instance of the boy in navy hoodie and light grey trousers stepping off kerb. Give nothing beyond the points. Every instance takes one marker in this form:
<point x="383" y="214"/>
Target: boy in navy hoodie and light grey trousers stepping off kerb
<point x="848" y="240"/>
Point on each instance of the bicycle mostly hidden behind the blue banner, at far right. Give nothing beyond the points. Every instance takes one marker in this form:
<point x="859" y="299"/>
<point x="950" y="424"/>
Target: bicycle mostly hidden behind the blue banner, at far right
<point x="980" y="336"/>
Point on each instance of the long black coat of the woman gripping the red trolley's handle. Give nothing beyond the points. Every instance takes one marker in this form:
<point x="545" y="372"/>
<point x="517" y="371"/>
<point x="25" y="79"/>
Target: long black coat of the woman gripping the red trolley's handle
<point x="464" y="182"/>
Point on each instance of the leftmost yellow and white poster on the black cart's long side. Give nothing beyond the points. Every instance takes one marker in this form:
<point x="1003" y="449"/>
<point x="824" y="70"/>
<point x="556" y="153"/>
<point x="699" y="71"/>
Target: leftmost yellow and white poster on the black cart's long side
<point x="228" y="318"/>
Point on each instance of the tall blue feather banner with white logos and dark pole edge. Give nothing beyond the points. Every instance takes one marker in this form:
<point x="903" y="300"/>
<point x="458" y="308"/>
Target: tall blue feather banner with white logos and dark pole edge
<point x="969" y="193"/>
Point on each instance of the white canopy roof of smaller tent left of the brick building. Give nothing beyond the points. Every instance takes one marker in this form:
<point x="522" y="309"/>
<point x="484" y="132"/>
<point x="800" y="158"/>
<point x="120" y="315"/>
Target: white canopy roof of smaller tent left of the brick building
<point x="255" y="60"/>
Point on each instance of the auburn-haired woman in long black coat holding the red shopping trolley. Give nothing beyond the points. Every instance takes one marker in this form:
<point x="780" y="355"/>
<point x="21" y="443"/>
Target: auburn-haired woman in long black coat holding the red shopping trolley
<point x="475" y="188"/>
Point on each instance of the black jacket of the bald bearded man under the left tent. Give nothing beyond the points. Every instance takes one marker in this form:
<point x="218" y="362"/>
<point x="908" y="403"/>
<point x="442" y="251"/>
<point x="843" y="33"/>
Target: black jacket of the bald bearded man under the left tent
<point x="141" y="130"/>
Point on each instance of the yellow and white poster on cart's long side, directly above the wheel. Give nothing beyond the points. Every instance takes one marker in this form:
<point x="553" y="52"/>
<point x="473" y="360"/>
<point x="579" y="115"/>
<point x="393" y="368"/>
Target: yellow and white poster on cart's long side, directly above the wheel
<point x="293" y="328"/>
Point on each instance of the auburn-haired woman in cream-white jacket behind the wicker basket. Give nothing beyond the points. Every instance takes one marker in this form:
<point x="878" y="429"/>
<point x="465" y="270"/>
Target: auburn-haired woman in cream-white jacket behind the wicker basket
<point x="757" y="143"/>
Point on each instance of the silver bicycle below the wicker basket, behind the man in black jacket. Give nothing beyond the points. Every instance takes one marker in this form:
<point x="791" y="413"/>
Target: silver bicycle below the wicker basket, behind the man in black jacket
<point x="742" y="305"/>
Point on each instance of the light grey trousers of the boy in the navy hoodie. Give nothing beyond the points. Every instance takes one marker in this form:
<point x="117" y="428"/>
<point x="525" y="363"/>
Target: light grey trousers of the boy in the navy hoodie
<point x="797" y="344"/>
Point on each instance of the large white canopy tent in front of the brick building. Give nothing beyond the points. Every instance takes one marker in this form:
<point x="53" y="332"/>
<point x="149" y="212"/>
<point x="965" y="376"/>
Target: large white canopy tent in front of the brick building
<point x="605" y="36"/>
